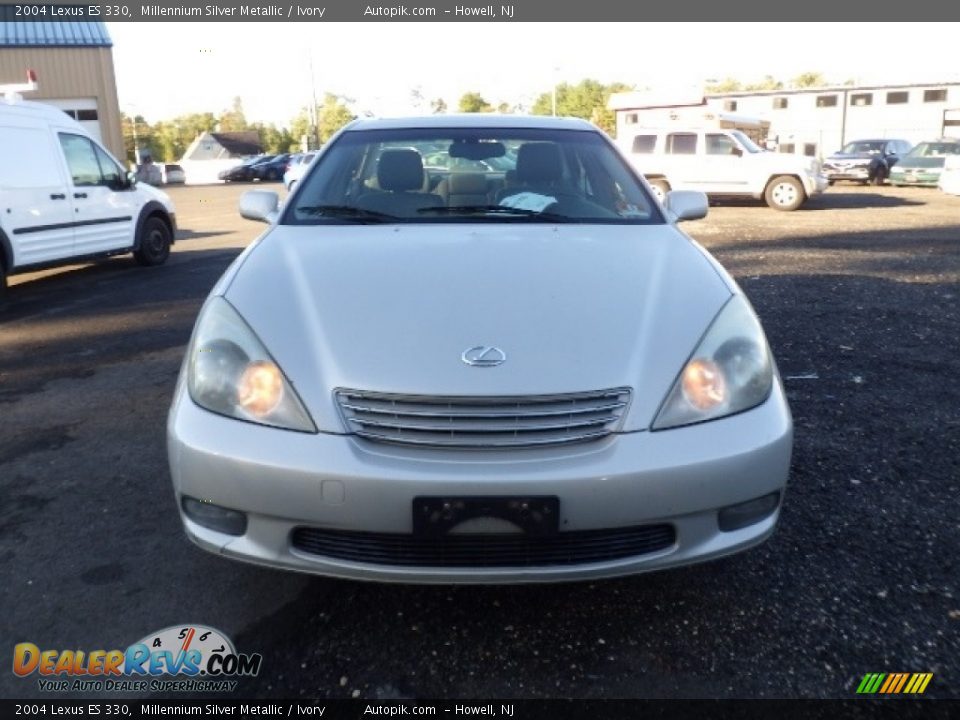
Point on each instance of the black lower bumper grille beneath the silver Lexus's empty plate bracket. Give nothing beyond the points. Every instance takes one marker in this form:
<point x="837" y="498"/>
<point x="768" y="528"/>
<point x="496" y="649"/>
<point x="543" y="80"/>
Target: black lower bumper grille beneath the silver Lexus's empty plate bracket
<point x="489" y="550"/>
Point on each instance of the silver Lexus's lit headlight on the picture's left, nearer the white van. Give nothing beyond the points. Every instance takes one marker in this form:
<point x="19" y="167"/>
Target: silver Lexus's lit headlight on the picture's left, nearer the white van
<point x="229" y="372"/>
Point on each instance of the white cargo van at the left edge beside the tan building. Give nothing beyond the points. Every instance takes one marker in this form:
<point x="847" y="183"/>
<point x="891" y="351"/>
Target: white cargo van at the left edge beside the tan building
<point x="63" y="198"/>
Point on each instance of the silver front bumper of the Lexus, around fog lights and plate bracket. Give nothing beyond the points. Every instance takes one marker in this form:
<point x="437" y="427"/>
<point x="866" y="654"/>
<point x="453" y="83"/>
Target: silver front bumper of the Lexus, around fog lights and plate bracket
<point x="284" y="481"/>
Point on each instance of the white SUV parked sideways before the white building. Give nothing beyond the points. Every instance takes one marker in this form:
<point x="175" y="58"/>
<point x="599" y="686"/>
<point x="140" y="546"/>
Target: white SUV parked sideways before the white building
<point x="721" y="163"/>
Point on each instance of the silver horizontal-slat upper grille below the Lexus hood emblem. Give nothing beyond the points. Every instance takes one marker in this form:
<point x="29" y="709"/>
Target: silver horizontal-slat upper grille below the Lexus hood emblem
<point x="481" y="422"/>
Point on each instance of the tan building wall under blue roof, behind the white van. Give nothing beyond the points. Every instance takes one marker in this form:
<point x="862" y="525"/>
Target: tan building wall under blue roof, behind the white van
<point x="71" y="72"/>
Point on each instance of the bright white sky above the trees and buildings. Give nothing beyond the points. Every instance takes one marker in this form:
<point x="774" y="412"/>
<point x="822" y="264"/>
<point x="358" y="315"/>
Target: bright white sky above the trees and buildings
<point x="171" y="68"/>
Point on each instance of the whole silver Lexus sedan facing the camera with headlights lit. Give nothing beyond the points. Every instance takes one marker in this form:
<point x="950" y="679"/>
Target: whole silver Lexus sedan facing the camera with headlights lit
<point x="527" y="374"/>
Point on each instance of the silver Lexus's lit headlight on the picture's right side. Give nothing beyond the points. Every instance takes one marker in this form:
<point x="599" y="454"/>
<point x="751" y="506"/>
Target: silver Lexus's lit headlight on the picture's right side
<point x="729" y="372"/>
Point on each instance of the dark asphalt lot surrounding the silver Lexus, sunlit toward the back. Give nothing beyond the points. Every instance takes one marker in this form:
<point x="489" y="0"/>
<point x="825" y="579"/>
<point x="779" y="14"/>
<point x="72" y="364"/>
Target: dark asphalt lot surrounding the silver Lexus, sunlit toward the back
<point x="858" y="293"/>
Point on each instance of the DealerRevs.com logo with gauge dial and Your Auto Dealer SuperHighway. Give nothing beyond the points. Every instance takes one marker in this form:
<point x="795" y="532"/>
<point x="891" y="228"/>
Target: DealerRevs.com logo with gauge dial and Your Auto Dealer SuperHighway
<point x="201" y="659"/>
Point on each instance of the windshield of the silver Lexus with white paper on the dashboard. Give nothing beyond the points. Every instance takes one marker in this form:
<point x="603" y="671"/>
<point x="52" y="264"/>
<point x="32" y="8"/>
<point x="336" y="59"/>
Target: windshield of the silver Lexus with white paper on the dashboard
<point x="471" y="175"/>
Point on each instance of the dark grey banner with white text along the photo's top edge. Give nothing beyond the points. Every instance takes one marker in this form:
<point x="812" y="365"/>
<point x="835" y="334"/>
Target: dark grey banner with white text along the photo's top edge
<point x="532" y="11"/>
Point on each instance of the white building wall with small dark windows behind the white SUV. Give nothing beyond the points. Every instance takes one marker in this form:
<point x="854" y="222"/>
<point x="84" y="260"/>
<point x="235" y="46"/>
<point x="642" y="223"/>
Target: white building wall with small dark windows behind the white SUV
<point x="821" y="130"/>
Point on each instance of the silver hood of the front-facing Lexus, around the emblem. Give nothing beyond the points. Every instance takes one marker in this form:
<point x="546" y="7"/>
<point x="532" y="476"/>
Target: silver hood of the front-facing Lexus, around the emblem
<point x="393" y="308"/>
